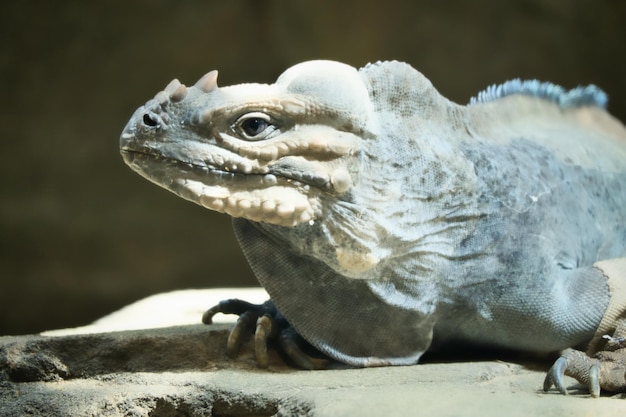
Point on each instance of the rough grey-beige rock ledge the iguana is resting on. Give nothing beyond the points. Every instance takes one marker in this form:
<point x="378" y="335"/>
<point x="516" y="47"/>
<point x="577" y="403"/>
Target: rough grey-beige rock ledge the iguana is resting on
<point x="184" y="371"/>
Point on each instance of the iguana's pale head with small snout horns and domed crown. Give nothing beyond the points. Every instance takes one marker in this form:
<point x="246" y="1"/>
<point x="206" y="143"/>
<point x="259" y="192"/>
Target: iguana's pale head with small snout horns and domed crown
<point x="268" y="153"/>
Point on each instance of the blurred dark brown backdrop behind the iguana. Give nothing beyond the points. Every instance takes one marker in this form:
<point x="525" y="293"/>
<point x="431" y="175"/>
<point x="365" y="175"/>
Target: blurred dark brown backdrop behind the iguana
<point x="82" y="235"/>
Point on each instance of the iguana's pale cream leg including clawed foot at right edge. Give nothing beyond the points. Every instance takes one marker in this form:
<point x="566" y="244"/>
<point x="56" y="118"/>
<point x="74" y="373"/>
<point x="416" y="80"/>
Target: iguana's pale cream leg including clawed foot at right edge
<point x="604" y="367"/>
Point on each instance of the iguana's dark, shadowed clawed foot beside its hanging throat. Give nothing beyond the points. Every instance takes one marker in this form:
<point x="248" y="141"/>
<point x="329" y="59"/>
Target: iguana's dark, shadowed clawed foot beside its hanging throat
<point x="267" y="325"/>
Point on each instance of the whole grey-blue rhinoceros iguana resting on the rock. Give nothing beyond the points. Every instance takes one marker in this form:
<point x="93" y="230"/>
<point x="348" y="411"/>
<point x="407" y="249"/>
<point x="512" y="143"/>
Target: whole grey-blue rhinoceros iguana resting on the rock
<point x="384" y="219"/>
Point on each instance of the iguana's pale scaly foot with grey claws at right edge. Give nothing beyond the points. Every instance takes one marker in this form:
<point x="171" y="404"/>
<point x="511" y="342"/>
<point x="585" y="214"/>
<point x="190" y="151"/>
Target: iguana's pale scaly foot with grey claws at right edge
<point x="606" y="370"/>
